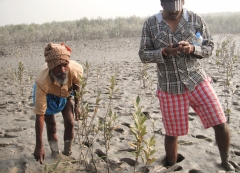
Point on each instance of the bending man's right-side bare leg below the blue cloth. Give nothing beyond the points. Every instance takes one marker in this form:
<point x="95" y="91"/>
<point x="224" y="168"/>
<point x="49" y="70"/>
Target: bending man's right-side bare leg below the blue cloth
<point x="68" y="118"/>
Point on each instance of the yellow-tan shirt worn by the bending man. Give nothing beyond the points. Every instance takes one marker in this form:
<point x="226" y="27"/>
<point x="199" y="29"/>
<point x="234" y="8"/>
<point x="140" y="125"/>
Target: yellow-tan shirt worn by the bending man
<point x="46" y="85"/>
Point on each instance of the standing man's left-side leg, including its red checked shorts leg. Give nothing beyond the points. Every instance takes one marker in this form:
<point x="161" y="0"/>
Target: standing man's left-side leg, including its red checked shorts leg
<point x="174" y="109"/>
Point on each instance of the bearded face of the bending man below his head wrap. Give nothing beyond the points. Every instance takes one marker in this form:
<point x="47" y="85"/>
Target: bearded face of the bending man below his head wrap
<point x="60" y="72"/>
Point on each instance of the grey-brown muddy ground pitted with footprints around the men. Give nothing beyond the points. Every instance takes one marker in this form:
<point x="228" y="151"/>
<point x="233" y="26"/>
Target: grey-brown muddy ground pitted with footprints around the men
<point x="197" y="150"/>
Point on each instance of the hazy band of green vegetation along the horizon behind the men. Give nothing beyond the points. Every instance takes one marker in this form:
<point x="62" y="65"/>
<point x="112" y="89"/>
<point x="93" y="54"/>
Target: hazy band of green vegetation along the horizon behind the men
<point x="120" y="27"/>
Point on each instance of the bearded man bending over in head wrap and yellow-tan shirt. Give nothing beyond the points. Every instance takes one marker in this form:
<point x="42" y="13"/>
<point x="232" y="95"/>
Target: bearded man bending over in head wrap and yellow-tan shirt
<point x="55" y="91"/>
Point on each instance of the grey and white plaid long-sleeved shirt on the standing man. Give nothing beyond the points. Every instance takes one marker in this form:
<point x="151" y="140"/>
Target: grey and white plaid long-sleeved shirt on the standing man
<point x="175" y="72"/>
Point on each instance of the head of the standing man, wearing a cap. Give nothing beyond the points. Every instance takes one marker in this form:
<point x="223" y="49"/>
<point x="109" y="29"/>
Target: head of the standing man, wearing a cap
<point x="172" y="8"/>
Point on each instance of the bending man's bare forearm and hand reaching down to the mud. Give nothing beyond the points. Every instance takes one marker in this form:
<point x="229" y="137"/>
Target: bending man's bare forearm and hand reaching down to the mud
<point x="39" y="152"/>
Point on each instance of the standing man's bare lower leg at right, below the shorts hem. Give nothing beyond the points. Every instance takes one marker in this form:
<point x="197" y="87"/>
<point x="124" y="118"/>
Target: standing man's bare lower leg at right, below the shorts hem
<point x="222" y="136"/>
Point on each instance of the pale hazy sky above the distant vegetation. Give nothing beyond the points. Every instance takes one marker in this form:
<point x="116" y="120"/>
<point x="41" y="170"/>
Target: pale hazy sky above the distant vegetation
<point x="42" y="11"/>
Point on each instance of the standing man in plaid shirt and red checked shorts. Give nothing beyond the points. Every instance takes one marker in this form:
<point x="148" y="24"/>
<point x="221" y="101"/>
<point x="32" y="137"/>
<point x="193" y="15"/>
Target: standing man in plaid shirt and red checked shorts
<point x="182" y="82"/>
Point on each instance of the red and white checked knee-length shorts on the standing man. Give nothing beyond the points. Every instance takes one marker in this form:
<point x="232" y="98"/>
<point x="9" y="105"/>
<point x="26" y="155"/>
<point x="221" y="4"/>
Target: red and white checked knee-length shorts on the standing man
<point x="175" y="107"/>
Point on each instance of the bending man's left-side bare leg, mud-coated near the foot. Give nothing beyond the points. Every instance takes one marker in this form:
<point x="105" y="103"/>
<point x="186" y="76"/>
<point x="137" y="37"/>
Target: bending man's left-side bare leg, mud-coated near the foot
<point x="52" y="133"/>
